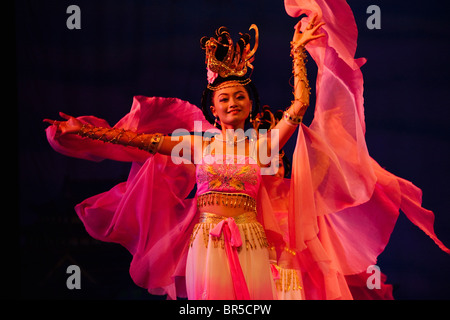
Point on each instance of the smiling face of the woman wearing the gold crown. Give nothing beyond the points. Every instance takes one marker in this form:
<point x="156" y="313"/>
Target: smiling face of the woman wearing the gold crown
<point x="232" y="106"/>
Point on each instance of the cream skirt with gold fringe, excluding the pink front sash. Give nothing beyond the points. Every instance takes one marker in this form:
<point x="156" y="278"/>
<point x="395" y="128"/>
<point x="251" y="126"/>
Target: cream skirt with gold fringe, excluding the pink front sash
<point x="209" y="271"/>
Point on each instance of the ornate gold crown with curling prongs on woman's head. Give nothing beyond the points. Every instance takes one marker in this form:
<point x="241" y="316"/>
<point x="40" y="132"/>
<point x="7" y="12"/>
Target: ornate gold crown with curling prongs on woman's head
<point x="225" y="59"/>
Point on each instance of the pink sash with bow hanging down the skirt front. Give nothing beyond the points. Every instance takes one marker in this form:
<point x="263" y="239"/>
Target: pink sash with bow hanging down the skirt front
<point x="232" y="239"/>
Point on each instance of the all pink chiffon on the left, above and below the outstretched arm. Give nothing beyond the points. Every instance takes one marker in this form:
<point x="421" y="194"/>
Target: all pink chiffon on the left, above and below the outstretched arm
<point x="150" y="214"/>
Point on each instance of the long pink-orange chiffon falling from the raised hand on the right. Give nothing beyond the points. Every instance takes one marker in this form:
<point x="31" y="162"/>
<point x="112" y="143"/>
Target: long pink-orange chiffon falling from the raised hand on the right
<point x="343" y="205"/>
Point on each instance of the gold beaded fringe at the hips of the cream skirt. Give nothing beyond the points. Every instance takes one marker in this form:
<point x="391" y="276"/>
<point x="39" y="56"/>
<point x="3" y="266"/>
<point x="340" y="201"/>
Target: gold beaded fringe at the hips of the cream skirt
<point x="254" y="235"/>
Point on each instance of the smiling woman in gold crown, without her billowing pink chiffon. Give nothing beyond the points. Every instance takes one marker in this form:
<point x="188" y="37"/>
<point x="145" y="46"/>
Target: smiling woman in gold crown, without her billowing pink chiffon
<point x="228" y="256"/>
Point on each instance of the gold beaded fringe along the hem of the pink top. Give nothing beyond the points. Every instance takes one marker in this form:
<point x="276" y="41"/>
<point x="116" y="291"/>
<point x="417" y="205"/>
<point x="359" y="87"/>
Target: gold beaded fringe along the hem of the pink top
<point x="232" y="200"/>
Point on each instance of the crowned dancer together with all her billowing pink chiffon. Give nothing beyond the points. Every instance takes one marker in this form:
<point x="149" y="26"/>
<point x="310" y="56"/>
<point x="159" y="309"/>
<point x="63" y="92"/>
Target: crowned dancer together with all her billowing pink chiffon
<point x="341" y="205"/>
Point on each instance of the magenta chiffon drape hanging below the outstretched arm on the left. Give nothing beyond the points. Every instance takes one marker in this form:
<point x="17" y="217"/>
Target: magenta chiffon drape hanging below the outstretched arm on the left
<point x="152" y="217"/>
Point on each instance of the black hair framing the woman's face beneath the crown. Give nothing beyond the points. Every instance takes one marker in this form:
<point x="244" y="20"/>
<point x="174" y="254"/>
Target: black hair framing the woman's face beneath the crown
<point x="207" y="97"/>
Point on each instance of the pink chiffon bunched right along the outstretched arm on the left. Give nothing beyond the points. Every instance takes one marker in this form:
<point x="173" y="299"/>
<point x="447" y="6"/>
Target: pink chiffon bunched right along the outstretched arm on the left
<point x="147" y="115"/>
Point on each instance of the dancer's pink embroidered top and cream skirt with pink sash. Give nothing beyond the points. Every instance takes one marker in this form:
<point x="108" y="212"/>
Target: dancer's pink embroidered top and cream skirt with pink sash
<point x="247" y="275"/>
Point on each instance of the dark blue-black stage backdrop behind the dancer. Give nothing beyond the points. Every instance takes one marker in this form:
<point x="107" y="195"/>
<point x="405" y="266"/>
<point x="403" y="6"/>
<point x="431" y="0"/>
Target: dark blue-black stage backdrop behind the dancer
<point x="137" y="47"/>
